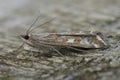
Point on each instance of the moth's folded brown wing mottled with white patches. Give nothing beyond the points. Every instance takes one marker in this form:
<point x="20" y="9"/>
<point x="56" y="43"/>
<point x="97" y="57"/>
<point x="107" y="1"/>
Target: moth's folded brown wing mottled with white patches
<point x="68" y="39"/>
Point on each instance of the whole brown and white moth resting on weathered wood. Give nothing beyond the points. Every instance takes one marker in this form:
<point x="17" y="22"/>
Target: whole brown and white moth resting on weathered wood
<point x="80" y="41"/>
